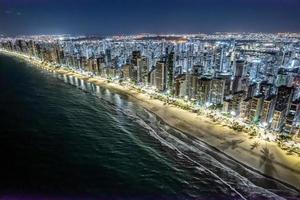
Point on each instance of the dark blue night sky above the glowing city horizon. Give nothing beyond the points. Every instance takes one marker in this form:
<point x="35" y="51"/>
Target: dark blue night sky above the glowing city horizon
<point x="109" y="17"/>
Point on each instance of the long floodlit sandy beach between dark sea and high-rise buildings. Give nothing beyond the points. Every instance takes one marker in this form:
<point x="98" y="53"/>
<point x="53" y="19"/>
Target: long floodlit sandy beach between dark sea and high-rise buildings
<point x="267" y="158"/>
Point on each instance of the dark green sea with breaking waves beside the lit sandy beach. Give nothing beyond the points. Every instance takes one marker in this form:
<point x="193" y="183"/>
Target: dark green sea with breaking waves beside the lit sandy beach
<point x="61" y="137"/>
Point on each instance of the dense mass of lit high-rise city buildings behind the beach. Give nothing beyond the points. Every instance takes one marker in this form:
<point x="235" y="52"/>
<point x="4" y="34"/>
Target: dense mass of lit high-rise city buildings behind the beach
<point x="255" y="77"/>
